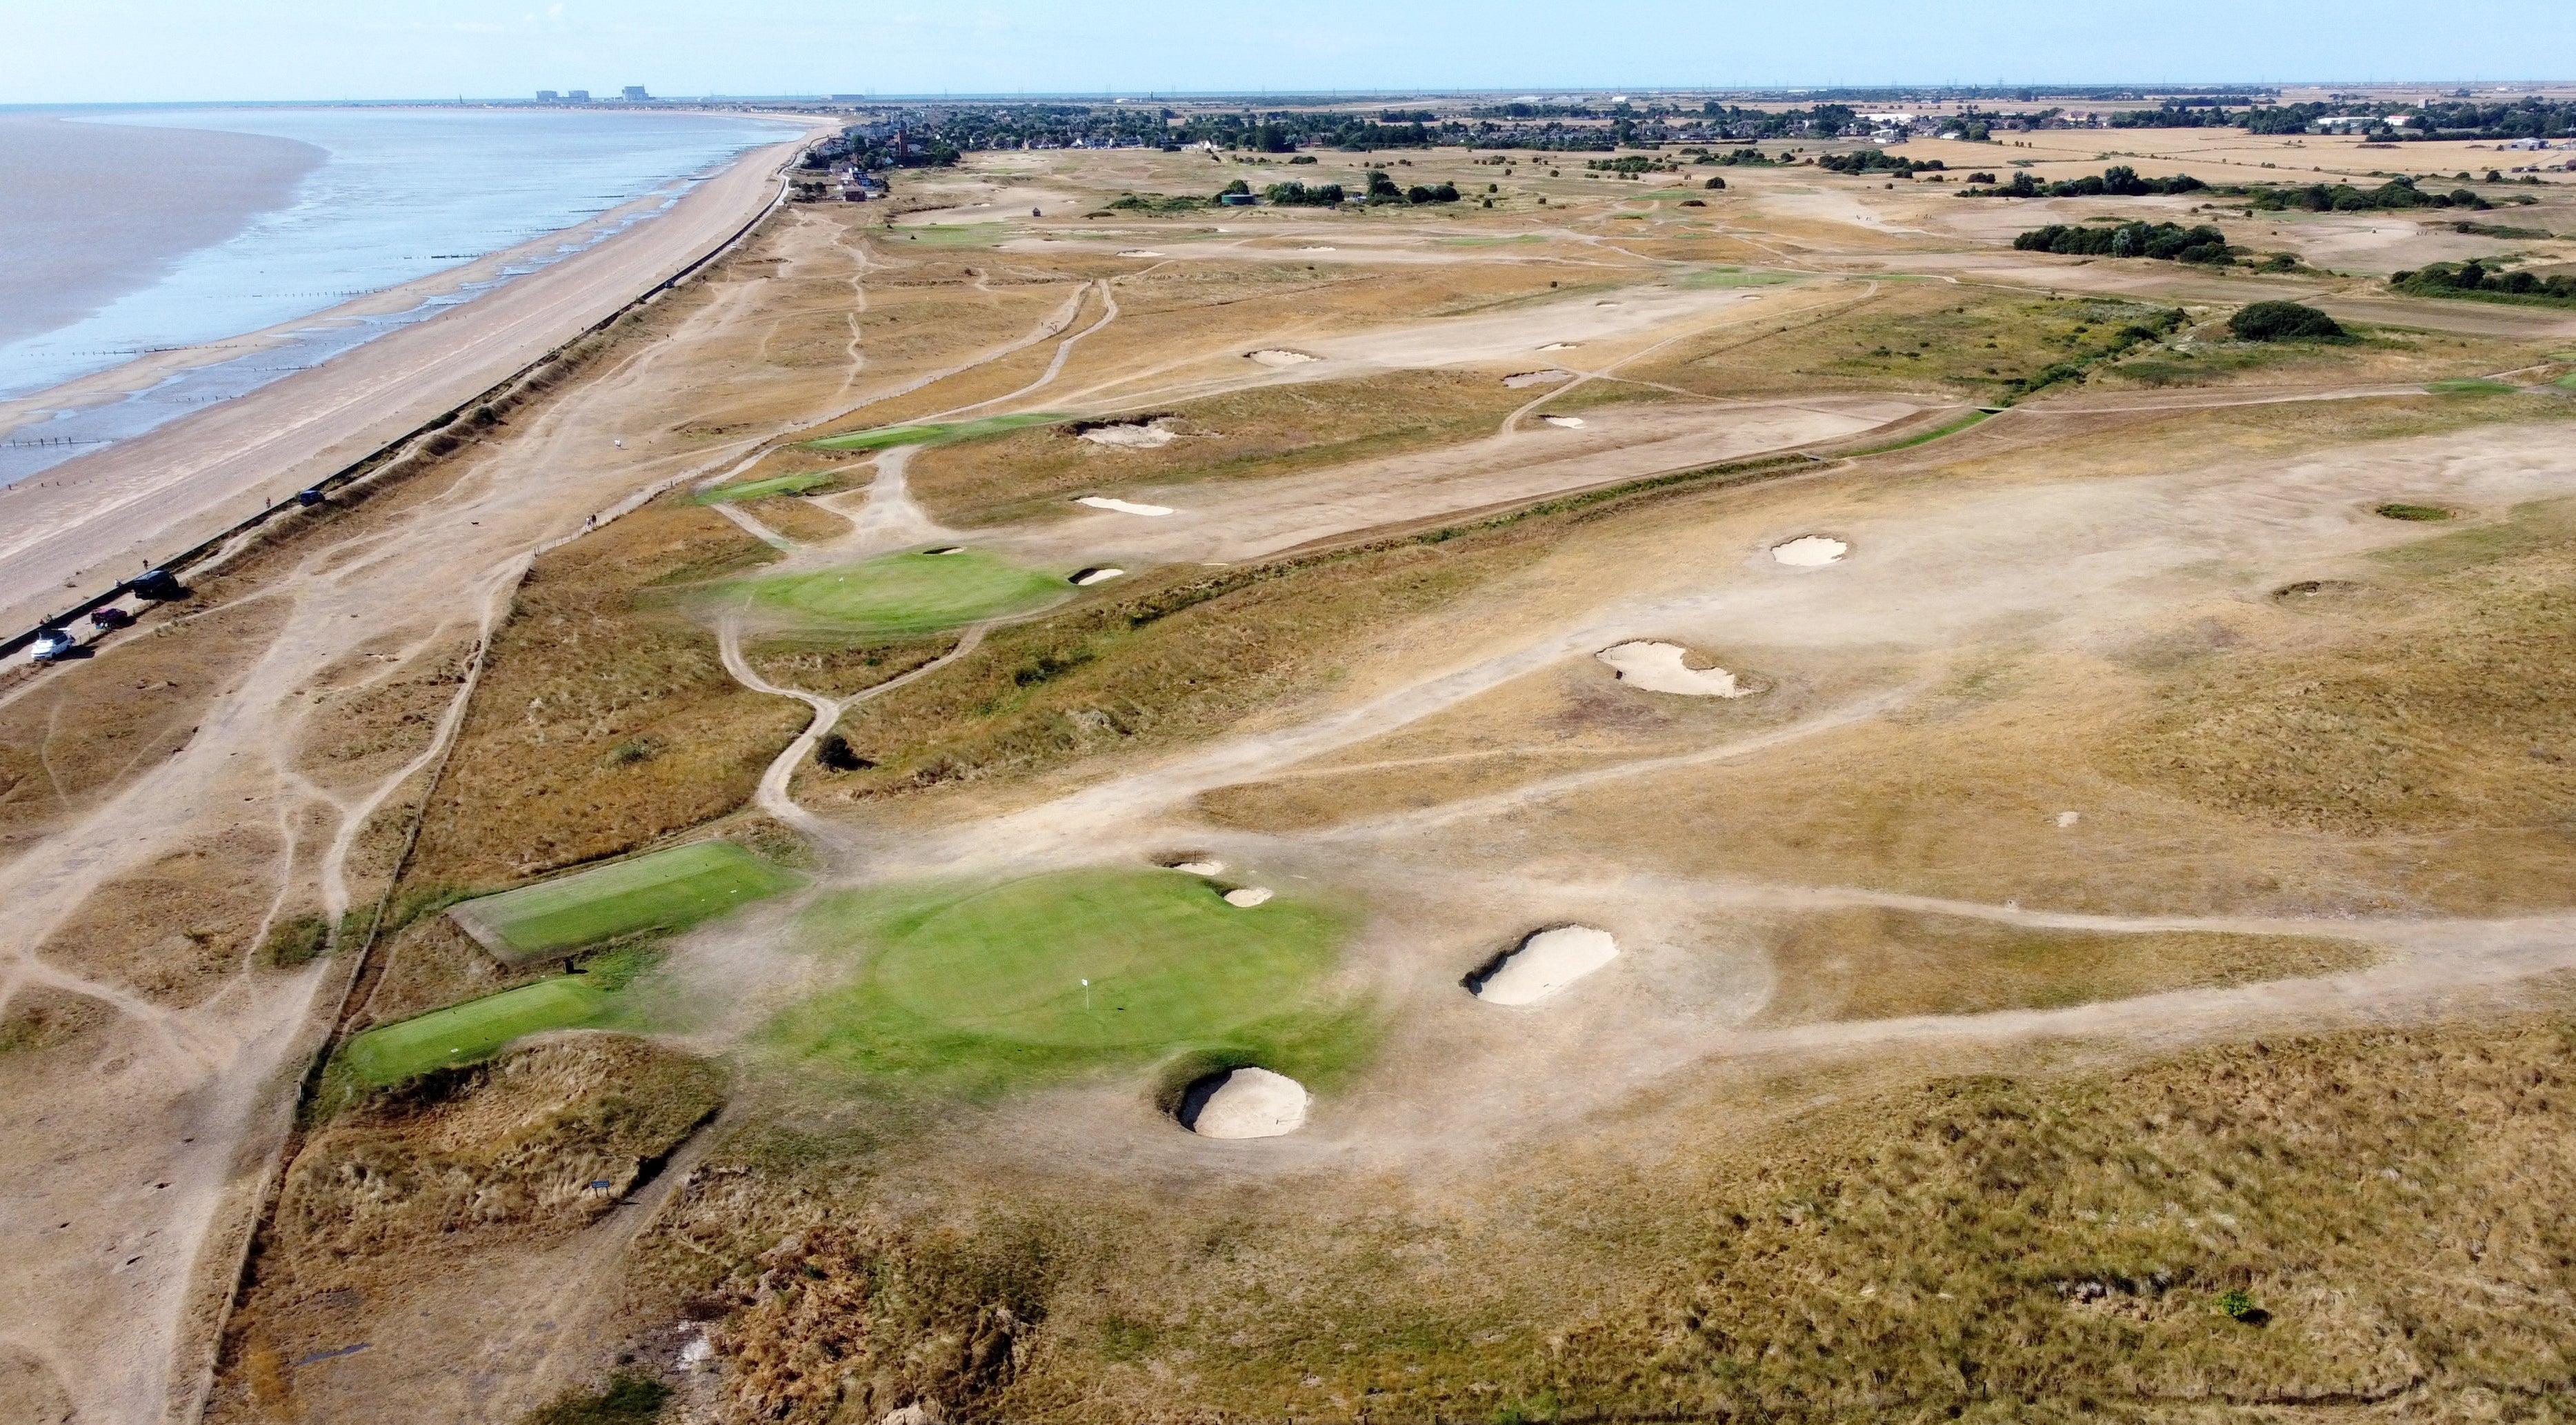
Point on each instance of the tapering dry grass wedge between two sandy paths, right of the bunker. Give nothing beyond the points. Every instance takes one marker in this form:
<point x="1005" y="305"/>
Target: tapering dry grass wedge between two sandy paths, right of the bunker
<point x="1866" y="965"/>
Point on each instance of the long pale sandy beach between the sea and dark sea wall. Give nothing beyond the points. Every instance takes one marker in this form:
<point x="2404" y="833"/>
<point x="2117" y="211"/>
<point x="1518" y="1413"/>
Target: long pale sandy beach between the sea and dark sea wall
<point x="97" y="519"/>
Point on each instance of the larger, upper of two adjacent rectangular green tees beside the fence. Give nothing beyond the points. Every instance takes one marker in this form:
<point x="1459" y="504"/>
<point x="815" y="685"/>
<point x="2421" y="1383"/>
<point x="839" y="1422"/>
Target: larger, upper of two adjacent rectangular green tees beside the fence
<point x="663" y="890"/>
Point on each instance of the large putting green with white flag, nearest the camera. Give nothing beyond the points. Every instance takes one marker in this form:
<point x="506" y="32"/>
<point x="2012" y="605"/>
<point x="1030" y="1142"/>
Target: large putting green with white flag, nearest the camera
<point x="985" y="986"/>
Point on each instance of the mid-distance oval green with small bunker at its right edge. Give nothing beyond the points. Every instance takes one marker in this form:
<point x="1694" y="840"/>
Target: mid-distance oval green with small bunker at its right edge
<point x="900" y="594"/>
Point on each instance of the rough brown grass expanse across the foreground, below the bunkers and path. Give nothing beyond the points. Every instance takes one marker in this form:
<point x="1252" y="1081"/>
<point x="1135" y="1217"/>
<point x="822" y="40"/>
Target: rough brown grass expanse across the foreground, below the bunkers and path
<point x="2003" y="1246"/>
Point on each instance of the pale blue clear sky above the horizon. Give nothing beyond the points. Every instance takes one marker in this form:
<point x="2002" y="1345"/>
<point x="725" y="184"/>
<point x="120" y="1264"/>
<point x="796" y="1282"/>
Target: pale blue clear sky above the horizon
<point x="194" y="50"/>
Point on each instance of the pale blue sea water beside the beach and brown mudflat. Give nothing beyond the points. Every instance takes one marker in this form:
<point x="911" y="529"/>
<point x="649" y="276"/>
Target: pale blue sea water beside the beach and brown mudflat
<point x="398" y="195"/>
